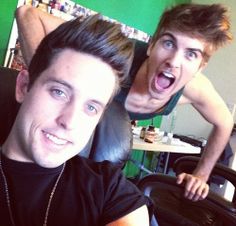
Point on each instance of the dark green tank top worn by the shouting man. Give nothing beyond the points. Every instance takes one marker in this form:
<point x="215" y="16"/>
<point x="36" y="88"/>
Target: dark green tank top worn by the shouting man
<point x="140" y="55"/>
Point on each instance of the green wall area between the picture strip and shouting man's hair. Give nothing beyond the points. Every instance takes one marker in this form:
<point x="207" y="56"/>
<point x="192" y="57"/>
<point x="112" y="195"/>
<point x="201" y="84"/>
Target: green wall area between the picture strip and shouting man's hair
<point x="141" y="14"/>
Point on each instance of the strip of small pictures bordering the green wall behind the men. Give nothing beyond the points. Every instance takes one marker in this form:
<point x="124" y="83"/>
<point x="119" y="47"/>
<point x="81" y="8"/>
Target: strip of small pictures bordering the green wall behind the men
<point x="67" y="10"/>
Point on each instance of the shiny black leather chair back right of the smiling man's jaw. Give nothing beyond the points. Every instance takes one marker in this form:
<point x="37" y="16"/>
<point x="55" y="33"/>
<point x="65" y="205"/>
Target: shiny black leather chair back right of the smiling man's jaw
<point x="113" y="138"/>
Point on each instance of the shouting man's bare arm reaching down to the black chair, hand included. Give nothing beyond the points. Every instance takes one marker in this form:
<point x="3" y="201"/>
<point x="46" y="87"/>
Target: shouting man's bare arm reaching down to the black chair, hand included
<point x="202" y="95"/>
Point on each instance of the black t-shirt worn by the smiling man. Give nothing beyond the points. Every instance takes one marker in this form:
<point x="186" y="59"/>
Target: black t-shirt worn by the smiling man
<point x="88" y="193"/>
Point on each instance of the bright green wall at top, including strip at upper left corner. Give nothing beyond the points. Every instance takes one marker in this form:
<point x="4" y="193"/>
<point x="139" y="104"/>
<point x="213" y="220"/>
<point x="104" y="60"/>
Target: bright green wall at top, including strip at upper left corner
<point x="141" y="14"/>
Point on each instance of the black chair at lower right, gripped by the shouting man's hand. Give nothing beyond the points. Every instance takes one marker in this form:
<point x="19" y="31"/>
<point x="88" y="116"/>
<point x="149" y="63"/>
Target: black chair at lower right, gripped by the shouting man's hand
<point x="172" y="209"/>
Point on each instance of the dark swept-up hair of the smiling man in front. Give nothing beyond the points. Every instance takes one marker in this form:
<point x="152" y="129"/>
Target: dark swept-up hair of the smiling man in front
<point x="92" y="36"/>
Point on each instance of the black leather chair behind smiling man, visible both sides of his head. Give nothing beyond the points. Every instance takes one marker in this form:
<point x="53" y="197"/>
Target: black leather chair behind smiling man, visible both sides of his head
<point x="111" y="139"/>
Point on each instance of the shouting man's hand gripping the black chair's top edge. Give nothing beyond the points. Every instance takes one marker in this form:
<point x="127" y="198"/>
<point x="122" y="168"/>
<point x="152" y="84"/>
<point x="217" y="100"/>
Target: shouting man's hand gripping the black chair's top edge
<point x="195" y="187"/>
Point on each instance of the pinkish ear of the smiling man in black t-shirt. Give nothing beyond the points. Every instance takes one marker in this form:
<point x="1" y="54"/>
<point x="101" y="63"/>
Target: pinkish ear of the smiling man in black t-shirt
<point x="22" y="85"/>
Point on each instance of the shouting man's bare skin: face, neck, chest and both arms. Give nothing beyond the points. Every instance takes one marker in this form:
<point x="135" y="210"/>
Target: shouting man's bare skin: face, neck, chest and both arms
<point x="176" y="53"/>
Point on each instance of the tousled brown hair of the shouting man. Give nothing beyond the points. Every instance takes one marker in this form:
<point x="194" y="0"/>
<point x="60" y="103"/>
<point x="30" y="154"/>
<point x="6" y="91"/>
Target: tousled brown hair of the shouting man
<point x="209" y="23"/>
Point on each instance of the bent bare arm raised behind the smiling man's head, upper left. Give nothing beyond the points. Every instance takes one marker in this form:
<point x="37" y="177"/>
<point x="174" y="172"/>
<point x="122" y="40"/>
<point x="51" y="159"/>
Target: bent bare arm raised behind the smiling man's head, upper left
<point x="33" y="24"/>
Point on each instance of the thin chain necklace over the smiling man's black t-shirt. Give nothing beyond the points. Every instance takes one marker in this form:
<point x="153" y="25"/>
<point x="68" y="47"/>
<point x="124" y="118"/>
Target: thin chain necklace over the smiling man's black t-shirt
<point x="8" y="196"/>
